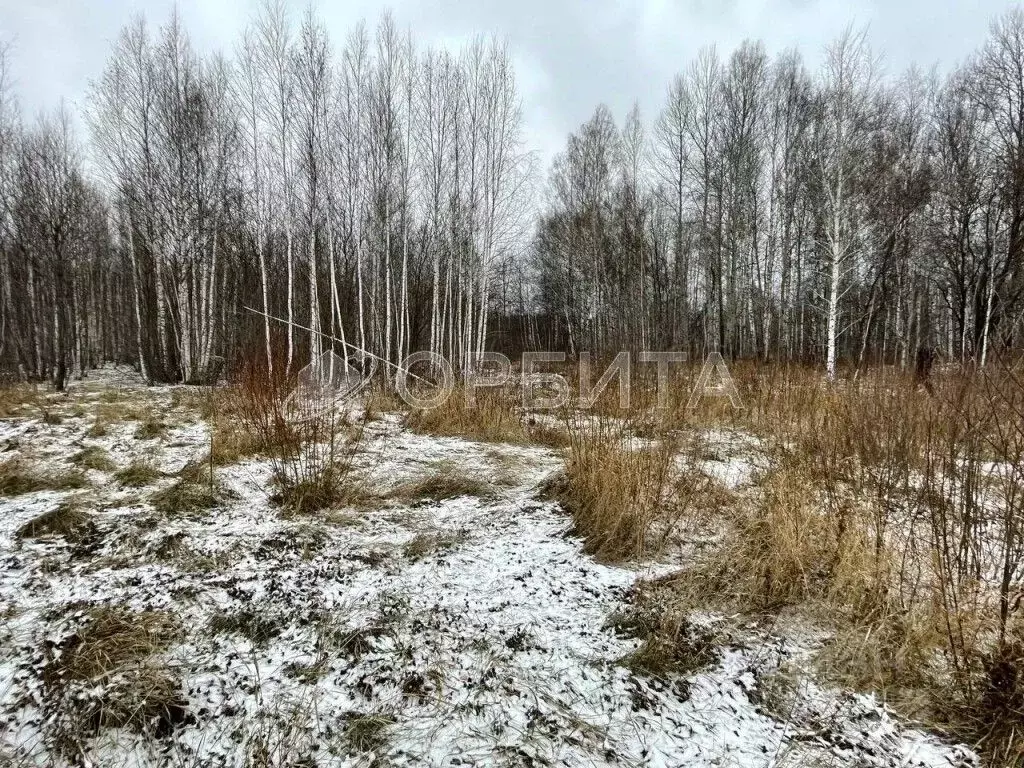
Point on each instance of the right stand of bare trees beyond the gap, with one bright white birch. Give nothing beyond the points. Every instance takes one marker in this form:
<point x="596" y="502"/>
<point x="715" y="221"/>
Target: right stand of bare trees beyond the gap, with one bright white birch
<point x="775" y="214"/>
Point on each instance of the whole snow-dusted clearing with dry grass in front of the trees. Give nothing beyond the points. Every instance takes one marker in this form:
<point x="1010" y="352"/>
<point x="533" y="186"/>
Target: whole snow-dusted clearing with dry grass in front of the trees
<point x="187" y="582"/>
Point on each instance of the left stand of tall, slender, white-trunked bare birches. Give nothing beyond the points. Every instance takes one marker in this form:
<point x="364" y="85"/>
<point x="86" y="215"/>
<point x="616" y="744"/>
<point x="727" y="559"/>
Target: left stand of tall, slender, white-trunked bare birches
<point x="375" y="195"/>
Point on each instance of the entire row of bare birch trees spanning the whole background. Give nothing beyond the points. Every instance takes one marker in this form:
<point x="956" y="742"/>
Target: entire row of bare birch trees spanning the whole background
<point x="381" y="195"/>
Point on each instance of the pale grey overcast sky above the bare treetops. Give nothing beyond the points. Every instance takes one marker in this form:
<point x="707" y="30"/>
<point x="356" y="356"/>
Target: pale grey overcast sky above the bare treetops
<point x="570" y="55"/>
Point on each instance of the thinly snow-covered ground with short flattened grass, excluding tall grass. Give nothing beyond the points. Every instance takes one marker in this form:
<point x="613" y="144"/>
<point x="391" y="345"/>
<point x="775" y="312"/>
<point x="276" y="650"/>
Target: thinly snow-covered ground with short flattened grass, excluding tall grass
<point x="466" y="632"/>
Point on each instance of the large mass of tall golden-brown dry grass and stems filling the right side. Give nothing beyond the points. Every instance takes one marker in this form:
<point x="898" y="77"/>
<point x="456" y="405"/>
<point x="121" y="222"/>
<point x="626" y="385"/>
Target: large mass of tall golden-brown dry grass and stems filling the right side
<point x="895" y="518"/>
